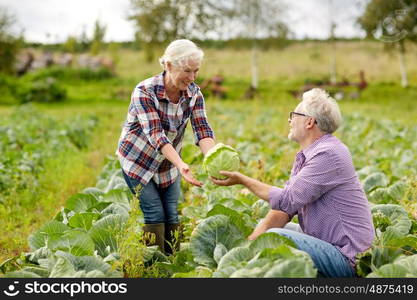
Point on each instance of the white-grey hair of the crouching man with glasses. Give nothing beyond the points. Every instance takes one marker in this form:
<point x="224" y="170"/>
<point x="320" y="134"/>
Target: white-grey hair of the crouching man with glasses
<point x="318" y="104"/>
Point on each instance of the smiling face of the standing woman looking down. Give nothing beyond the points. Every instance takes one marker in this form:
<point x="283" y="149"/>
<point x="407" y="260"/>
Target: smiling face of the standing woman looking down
<point x="183" y="75"/>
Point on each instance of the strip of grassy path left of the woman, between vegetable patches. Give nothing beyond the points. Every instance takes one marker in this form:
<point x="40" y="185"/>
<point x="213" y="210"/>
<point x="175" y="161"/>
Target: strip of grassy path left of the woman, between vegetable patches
<point x="63" y="176"/>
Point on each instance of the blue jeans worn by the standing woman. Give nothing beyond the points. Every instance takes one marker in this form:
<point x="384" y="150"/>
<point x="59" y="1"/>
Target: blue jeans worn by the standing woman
<point x="159" y="205"/>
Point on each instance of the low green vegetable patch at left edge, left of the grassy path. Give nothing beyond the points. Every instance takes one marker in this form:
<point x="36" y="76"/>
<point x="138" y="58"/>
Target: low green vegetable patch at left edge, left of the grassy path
<point x="28" y="138"/>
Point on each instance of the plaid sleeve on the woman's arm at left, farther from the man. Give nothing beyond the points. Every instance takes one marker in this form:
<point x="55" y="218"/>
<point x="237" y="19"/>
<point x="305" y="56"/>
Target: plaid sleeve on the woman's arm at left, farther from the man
<point x="147" y="114"/>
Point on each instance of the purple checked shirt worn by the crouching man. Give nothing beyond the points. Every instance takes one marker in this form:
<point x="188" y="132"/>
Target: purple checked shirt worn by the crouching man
<point x="325" y="192"/>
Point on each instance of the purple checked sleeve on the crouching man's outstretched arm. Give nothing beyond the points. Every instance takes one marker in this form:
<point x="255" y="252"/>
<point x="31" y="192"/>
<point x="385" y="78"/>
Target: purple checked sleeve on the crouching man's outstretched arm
<point x="317" y="177"/>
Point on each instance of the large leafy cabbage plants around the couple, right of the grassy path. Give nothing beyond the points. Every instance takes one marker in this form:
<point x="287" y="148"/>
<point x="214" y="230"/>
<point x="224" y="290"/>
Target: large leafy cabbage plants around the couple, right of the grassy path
<point x="98" y="232"/>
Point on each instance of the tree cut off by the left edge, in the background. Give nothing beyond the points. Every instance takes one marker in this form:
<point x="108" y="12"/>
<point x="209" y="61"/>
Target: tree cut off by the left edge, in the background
<point x="9" y="44"/>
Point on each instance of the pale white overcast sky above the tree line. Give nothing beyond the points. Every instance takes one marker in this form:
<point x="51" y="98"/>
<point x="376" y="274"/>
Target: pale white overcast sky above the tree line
<point x="52" y="21"/>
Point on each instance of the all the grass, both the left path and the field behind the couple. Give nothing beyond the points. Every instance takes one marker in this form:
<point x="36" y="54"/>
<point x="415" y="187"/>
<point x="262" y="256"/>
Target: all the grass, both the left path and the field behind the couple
<point x="280" y="71"/>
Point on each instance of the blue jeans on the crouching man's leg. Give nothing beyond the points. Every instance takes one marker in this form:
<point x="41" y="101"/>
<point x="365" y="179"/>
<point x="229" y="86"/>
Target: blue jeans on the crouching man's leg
<point x="329" y="261"/>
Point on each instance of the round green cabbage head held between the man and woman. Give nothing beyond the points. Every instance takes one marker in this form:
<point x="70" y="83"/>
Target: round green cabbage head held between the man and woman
<point x="221" y="158"/>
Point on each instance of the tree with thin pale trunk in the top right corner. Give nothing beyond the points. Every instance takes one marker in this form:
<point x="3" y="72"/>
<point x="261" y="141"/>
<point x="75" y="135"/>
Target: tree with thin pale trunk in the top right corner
<point x="394" y="22"/>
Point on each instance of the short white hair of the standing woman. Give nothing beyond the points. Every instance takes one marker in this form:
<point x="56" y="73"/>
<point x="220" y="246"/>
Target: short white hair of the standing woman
<point x="179" y="51"/>
